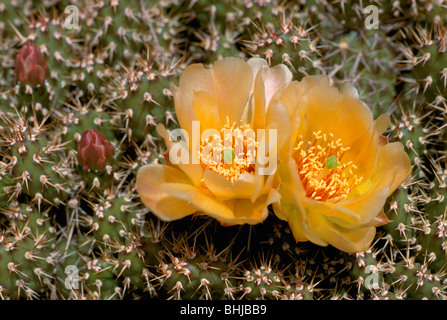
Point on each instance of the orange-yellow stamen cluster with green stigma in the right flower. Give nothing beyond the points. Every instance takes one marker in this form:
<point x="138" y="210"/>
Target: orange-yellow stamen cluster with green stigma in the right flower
<point x="323" y="174"/>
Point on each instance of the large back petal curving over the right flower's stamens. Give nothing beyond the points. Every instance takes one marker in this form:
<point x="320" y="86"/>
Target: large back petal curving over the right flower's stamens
<point x="320" y="107"/>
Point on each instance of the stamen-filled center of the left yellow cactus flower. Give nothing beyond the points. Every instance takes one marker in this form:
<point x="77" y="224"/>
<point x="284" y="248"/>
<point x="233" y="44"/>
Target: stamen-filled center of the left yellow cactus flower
<point x="230" y="153"/>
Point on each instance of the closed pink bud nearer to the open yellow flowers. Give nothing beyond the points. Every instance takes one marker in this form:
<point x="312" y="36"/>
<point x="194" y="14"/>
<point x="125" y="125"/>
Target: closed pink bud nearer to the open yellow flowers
<point x="94" y="151"/>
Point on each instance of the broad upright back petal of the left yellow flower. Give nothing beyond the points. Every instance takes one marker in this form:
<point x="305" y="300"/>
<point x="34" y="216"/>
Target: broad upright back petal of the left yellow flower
<point x="226" y="85"/>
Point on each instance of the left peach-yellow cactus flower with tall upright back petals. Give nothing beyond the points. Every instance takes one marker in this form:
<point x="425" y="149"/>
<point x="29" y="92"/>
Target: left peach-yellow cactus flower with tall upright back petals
<point x="224" y="164"/>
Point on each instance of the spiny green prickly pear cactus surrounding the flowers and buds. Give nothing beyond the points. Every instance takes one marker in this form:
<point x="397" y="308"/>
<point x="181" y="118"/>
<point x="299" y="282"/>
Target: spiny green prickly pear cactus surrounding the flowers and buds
<point x="67" y="233"/>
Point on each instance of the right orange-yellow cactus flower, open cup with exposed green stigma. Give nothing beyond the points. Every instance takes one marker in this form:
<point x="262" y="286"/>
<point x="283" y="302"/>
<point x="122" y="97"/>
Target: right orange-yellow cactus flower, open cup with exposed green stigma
<point x="337" y="169"/>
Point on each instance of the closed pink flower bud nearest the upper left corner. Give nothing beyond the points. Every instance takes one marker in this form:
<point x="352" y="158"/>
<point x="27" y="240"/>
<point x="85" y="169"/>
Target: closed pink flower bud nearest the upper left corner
<point x="31" y="68"/>
